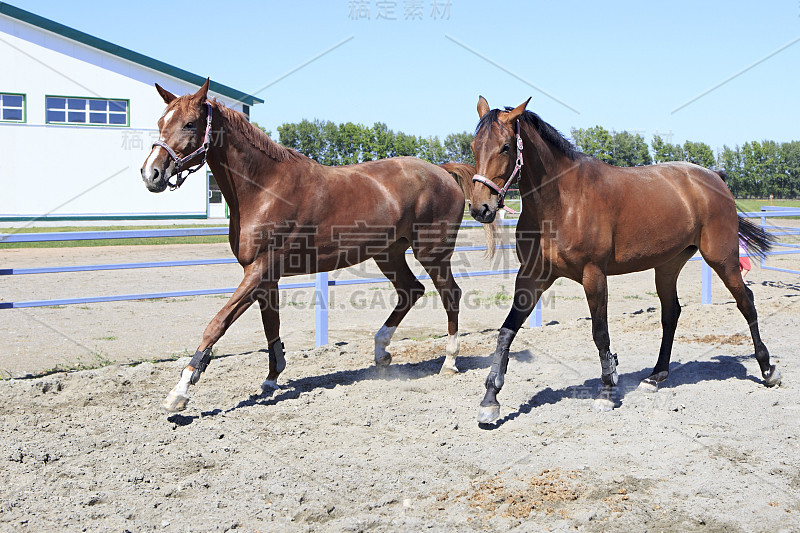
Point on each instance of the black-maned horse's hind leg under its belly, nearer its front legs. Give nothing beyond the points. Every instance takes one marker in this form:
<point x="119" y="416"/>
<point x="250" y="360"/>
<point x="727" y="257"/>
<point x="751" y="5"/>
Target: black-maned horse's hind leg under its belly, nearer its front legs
<point x="666" y="286"/>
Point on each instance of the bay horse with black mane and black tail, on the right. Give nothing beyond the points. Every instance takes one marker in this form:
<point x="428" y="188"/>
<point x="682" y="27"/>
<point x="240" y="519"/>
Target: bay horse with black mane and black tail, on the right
<point x="585" y="220"/>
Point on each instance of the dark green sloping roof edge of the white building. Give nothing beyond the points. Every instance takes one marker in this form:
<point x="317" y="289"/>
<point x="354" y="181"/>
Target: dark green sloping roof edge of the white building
<point x="124" y="53"/>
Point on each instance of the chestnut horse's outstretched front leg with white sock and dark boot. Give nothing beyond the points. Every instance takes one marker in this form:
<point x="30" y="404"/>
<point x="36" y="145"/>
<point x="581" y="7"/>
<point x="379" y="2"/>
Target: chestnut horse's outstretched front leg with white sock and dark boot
<point x="242" y="298"/>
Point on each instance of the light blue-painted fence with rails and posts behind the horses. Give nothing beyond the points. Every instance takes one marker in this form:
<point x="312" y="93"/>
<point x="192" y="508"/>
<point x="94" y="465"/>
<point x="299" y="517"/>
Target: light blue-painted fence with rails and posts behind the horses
<point x="322" y="281"/>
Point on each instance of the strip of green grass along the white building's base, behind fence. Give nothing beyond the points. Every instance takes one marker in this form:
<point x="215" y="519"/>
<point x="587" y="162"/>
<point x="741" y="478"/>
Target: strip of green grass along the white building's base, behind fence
<point x="108" y="242"/>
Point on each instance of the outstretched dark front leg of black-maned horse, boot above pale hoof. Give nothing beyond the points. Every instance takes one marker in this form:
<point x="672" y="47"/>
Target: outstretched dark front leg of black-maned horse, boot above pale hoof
<point x="527" y="291"/>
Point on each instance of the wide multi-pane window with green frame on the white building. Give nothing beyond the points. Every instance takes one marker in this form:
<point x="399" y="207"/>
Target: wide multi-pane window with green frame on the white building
<point x="86" y="111"/>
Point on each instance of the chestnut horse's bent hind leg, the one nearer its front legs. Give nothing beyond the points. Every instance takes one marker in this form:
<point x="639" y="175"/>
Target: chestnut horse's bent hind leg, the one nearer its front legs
<point x="392" y="263"/>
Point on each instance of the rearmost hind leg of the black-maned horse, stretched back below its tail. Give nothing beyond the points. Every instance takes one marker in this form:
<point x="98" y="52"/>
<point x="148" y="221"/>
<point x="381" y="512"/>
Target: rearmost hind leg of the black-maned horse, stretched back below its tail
<point x="728" y="271"/>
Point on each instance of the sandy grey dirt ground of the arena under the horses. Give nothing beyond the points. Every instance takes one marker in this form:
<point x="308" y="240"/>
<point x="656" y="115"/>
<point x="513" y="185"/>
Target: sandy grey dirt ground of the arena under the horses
<point x="344" y="446"/>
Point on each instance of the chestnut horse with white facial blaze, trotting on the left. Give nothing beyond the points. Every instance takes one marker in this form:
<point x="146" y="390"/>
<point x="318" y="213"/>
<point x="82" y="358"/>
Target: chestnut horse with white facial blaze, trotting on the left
<point x="289" y="215"/>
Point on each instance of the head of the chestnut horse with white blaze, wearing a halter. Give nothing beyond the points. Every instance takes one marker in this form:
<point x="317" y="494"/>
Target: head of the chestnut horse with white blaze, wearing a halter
<point x="183" y="133"/>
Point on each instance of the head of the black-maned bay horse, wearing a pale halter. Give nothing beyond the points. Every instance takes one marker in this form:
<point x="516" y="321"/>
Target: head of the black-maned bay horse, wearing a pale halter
<point x="498" y="153"/>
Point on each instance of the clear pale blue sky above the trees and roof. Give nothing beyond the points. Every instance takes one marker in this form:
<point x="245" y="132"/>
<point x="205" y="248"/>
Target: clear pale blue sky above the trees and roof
<point x="624" y="65"/>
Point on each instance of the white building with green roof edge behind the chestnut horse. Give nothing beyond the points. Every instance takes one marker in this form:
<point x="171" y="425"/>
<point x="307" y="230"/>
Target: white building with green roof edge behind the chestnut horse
<point x="77" y="119"/>
